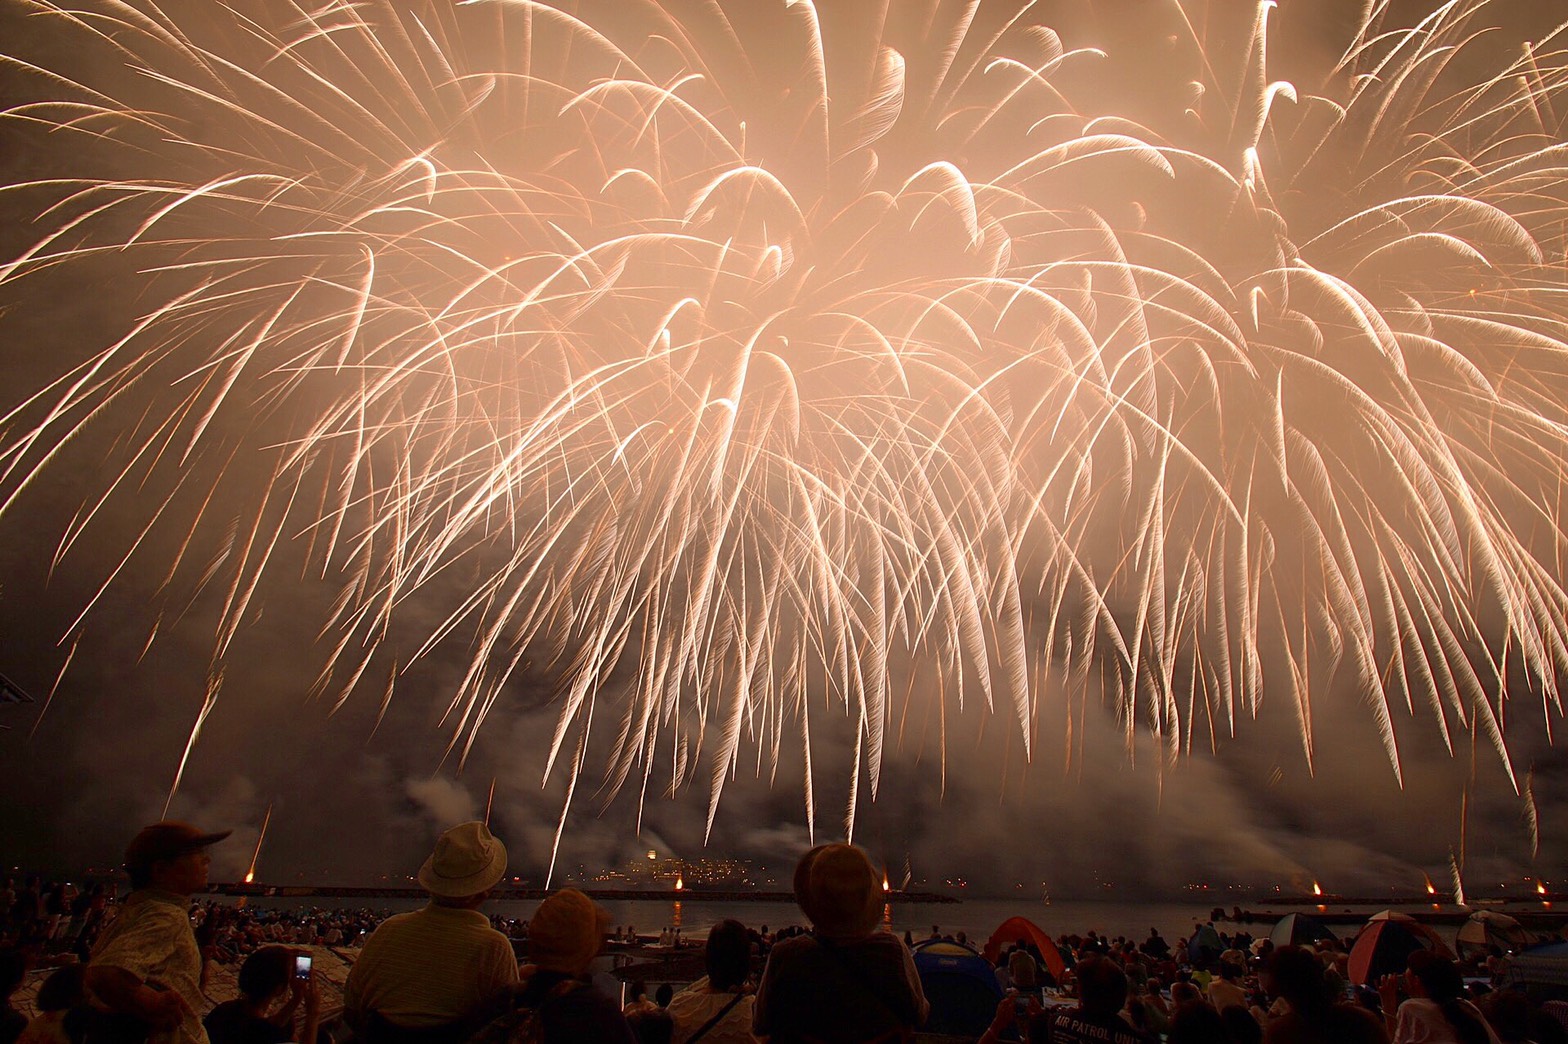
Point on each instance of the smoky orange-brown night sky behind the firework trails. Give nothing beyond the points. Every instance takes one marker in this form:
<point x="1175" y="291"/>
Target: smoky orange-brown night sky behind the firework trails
<point x="360" y="786"/>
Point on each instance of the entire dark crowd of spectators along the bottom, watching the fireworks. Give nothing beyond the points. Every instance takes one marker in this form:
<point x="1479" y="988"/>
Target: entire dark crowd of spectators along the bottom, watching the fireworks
<point x="134" y="971"/>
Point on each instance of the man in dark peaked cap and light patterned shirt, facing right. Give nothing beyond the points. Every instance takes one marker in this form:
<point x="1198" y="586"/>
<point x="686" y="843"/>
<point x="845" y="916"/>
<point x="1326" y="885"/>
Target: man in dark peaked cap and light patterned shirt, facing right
<point x="147" y="968"/>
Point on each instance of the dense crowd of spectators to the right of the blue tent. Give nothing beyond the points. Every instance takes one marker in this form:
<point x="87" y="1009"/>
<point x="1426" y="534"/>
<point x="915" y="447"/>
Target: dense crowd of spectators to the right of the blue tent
<point x="1213" y="988"/>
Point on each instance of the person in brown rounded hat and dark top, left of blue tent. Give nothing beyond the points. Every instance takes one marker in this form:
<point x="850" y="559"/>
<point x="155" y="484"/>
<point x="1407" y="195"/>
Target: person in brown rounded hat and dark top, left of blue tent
<point x="846" y="982"/>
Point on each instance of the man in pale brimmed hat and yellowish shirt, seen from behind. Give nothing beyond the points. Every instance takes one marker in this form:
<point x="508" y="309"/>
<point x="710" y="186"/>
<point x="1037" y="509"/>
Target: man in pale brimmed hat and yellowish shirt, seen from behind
<point x="423" y="977"/>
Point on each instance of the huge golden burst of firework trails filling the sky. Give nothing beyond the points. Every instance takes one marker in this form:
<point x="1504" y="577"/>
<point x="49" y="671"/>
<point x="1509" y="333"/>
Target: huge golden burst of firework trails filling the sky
<point x="725" y="360"/>
